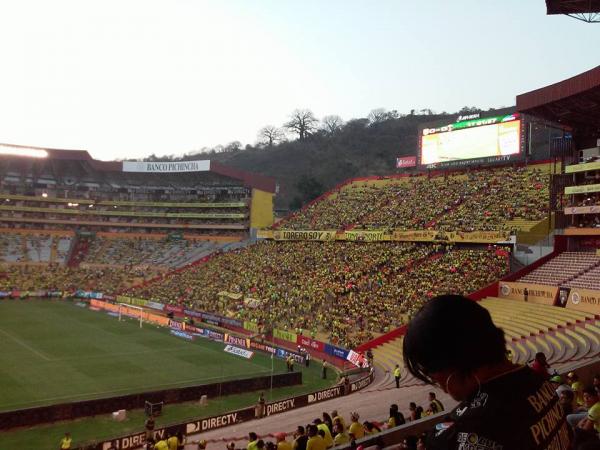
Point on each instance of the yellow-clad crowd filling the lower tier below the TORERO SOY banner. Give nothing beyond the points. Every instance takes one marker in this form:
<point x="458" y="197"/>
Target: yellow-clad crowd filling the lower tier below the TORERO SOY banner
<point x="340" y="291"/>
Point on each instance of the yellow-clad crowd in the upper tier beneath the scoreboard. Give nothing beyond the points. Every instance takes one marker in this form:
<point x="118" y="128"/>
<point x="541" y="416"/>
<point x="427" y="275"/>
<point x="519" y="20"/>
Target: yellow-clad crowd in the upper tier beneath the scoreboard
<point x="472" y="201"/>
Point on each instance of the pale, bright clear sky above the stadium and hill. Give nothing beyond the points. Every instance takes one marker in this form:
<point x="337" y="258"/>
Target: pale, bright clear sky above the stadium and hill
<point x="128" y="78"/>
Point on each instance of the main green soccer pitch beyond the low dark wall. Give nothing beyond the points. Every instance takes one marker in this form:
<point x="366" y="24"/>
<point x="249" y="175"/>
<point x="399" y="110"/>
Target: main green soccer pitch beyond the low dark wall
<point x="55" y="352"/>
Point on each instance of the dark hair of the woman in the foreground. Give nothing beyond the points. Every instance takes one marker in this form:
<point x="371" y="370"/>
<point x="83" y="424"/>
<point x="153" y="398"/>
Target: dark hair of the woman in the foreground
<point x="452" y="332"/>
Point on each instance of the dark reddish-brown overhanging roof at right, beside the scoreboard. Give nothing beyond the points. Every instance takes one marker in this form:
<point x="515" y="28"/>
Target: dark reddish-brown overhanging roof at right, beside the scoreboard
<point x="574" y="102"/>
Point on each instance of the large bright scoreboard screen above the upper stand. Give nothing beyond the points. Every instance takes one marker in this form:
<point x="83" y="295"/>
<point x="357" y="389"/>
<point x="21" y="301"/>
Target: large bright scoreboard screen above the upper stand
<point x="468" y="139"/>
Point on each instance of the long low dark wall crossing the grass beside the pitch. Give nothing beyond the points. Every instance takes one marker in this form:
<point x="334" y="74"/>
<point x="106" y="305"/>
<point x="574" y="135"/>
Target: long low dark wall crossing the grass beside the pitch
<point x="69" y="411"/>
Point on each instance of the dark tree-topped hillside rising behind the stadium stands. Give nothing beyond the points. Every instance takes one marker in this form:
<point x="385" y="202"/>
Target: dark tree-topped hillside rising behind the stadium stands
<point x="306" y="168"/>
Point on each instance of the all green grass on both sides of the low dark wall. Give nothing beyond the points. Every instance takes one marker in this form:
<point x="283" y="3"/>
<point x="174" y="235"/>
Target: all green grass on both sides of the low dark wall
<point x="54" y="352"/>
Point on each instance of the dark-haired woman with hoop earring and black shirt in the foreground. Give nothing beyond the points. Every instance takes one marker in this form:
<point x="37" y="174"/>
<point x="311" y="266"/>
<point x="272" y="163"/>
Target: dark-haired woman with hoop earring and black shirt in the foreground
<point x="453" y="343"/>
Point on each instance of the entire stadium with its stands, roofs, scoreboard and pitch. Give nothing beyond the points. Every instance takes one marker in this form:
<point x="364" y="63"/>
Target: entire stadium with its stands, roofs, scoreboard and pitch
<point x="162" y="292"/>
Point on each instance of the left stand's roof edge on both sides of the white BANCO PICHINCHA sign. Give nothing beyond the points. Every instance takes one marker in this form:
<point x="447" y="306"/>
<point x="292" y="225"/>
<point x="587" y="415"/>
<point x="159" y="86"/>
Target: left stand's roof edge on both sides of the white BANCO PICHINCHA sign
<point x="252" y="180"/>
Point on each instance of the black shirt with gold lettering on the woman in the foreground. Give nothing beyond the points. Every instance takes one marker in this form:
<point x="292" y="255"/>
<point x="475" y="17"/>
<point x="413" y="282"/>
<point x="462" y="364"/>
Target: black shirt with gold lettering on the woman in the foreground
<point x="515" y="411"/>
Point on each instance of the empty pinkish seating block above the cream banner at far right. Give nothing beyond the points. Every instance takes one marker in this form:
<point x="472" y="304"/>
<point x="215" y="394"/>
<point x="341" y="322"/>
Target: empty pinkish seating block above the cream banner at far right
<point x="563" y="268"/>
